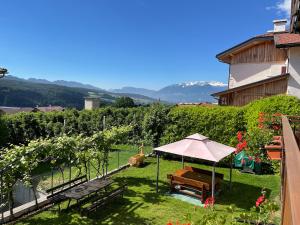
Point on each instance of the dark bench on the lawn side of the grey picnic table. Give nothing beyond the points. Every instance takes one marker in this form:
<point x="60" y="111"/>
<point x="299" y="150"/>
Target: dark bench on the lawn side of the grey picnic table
<point x="105" y="199"/>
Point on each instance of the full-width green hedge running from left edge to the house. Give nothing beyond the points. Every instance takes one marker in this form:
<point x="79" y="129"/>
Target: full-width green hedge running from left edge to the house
<point x="156" y="124"/>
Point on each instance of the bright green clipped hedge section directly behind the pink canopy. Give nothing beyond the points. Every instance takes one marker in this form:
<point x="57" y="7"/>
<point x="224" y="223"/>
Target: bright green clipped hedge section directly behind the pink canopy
<point x="218" y="123"/>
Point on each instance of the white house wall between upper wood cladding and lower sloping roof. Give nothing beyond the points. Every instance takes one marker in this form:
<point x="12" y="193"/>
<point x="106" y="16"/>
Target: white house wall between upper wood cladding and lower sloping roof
<point x="245" y="73"/>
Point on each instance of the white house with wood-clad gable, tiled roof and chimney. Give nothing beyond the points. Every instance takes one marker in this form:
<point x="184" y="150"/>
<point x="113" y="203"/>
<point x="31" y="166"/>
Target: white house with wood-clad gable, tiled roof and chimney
<point x="262" y="66"/>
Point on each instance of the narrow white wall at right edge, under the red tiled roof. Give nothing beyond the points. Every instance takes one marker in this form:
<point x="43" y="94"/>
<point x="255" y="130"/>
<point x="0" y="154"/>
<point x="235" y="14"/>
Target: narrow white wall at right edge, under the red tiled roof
<point x="294" y="70"/>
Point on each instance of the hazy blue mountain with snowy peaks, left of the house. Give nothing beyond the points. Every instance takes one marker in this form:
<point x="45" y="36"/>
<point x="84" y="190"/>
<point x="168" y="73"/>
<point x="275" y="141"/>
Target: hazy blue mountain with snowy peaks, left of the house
<point x="198" y="91"/>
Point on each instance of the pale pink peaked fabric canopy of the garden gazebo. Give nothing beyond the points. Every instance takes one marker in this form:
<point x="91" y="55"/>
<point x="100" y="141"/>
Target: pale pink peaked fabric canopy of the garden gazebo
<point x="198" y="146"/>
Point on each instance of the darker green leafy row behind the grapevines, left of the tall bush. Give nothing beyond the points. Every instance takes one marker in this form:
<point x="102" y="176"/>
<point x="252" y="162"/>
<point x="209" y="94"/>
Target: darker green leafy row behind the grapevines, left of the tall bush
<point x="22" y="127"/>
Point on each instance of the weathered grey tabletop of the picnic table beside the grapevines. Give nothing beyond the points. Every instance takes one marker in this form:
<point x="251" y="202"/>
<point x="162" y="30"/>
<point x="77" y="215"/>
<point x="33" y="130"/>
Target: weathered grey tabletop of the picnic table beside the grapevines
<point x="85" y="189"/>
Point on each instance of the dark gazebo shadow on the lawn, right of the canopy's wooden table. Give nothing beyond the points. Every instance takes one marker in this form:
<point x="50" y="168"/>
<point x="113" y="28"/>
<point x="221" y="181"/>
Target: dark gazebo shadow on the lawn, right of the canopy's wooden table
<point x="242" y="195"/>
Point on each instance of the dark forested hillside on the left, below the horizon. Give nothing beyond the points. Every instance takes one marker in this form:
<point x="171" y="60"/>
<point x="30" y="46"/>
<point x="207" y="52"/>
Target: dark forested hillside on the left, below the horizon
<point x="19" y="92"/>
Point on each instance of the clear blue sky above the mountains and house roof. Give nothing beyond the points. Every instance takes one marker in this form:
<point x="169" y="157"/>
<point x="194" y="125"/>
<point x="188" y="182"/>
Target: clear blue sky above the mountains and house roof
<point x="140" y="43"/>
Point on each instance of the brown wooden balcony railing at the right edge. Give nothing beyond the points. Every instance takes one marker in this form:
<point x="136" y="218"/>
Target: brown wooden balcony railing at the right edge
<point x="290" y="177"/>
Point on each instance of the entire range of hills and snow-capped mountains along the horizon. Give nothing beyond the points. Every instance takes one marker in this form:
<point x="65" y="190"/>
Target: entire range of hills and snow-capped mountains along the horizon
<point x="15" y="91"/>
